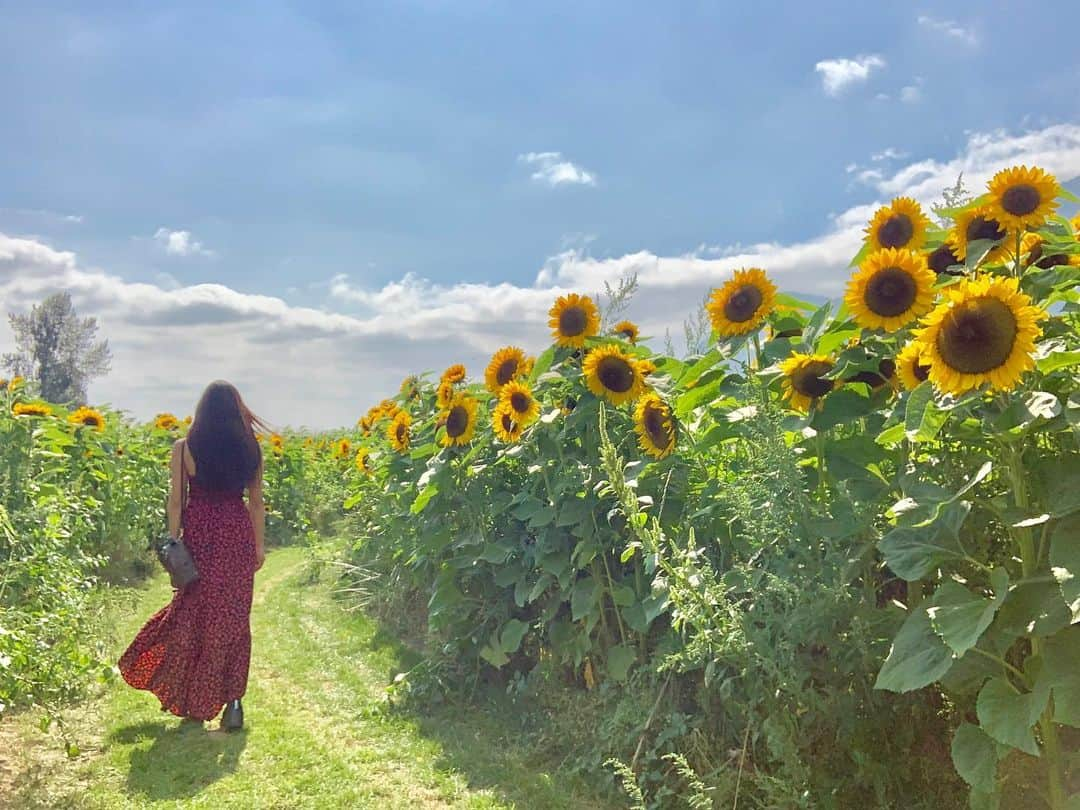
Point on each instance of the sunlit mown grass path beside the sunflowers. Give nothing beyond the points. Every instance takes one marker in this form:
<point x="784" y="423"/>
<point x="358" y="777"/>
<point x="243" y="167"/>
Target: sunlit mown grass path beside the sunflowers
<point x="318" y="733"/>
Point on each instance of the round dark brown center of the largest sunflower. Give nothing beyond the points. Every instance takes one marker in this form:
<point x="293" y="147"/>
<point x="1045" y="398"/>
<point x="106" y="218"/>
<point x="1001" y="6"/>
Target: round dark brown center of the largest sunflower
<point x="978" y="335"/>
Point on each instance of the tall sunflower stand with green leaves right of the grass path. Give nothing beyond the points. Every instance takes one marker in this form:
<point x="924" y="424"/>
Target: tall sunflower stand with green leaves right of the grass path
<point x="836" y="556"/>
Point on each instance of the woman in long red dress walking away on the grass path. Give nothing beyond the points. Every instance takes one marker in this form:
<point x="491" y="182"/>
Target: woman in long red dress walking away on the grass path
<point x="194" y="654"/>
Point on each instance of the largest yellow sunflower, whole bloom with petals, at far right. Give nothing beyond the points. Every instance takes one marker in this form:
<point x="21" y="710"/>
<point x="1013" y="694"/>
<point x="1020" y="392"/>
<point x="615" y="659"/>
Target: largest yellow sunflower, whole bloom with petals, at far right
<point x="984" y="332"/>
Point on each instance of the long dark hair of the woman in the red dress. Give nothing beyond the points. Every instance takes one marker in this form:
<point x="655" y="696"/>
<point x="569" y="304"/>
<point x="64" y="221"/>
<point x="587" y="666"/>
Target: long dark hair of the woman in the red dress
<point x="223" y="441"/>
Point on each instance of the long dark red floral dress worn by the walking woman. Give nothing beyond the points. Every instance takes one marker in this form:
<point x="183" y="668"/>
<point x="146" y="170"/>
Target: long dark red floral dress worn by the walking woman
<point x="195" y="653"/>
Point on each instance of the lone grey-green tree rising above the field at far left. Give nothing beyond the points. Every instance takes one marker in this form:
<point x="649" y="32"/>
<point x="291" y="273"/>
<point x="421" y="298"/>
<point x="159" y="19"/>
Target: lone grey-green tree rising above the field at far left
<point x="60" y="350"/>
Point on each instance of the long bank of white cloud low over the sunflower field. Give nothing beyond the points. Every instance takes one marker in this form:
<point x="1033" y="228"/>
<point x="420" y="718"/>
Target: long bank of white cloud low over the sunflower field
<point x="302" y="366"/>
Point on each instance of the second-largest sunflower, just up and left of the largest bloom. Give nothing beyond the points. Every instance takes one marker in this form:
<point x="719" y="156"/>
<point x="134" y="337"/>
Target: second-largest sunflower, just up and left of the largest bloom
<point x="892" y="289"/>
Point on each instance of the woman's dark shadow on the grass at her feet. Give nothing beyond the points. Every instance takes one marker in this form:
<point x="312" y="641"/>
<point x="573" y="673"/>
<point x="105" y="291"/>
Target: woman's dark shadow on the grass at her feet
<point x="182" y="762"/>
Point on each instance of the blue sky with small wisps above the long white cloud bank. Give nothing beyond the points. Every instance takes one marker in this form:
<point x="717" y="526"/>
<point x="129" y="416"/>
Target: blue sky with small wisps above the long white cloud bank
<point x="319" y="154"/>
